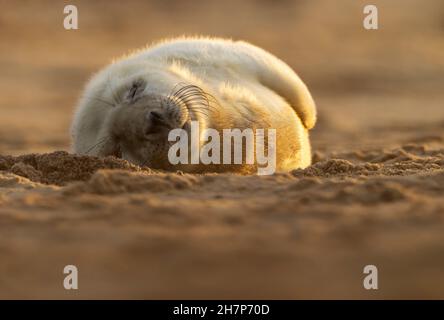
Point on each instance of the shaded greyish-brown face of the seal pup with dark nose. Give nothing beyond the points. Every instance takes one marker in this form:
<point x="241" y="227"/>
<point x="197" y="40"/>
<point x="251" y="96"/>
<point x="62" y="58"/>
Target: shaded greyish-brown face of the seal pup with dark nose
<point x="139" y="126"/>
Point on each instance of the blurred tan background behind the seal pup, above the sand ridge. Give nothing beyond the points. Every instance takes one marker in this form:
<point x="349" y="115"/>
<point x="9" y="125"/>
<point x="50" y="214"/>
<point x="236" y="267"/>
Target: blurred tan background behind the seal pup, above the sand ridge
<point x="385" y="86"/>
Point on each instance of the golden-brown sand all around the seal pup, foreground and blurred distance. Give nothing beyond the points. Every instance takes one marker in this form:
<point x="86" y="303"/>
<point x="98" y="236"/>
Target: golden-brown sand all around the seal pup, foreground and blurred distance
<point x="374" y="194"/>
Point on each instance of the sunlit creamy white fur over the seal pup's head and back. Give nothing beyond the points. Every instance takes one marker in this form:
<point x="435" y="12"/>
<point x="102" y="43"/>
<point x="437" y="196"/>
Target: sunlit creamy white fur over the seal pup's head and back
<point x="236" y="73"/>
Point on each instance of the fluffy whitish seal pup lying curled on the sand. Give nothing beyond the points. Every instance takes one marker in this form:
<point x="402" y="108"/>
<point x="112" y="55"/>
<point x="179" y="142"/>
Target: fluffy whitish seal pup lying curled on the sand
<point x="129" y="107"/>
